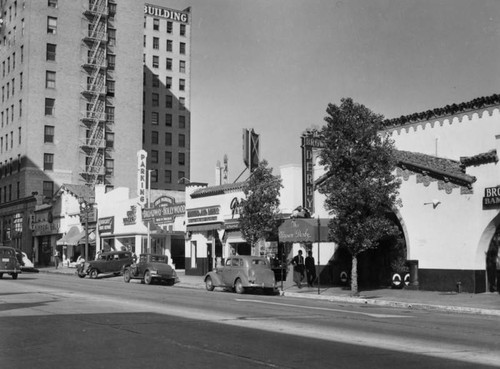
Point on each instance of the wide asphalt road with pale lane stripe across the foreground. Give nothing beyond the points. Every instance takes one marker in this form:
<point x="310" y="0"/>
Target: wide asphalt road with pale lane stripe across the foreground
<point x="61" y="321"/>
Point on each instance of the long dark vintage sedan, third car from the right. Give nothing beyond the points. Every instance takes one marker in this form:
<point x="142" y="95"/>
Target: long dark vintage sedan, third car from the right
<point x="108" y="262"/>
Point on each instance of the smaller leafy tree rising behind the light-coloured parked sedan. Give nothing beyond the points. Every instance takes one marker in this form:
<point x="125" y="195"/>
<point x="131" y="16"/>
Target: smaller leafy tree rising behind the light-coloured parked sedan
<point x="259" y="217"/>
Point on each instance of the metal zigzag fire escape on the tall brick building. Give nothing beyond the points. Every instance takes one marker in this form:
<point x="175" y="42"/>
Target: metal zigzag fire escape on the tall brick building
<point x="93" y="117"/>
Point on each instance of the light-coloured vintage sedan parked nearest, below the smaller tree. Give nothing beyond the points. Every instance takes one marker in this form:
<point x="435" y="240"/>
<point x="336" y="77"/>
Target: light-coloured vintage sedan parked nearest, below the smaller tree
<point x="241" y="273"/>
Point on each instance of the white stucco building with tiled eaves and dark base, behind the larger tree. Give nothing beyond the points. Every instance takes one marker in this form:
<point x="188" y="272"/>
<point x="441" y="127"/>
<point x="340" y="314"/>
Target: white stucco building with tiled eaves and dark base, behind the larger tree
<point x="448" y="165"/>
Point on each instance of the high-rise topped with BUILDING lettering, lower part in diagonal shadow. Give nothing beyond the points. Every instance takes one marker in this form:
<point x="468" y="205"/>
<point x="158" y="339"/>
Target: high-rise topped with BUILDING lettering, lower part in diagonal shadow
<point x="167" y="102"/>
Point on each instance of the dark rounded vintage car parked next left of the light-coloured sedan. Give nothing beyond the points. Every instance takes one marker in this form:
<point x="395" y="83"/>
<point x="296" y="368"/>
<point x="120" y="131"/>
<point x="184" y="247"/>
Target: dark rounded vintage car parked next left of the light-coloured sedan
<point x="149" y="268"/>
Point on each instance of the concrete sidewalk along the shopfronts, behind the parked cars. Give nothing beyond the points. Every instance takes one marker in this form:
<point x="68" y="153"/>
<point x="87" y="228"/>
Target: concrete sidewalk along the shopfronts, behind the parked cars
<point x="483" y="303"/>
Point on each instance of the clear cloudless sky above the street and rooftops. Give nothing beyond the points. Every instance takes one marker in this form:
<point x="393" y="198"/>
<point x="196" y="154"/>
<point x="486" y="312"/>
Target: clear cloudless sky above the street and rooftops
<point x="275" y="65"/>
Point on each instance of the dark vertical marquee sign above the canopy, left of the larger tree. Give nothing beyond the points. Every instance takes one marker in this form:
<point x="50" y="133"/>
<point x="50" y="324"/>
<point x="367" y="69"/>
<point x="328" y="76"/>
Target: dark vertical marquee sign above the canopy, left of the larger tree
<point x="311" y="140"/>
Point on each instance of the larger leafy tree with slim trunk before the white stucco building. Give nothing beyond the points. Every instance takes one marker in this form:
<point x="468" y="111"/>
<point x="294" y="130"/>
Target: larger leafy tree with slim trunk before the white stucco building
<point x="360" y="187"/>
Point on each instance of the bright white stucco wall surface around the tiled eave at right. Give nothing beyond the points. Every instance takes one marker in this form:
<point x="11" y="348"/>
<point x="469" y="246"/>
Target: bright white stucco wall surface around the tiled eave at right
<point x="455" y="234"/>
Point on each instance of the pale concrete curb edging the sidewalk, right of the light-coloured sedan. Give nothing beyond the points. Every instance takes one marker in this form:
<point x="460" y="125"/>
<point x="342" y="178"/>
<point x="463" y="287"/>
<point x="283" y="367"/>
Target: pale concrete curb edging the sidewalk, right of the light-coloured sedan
<point x="399" y="304"/>
